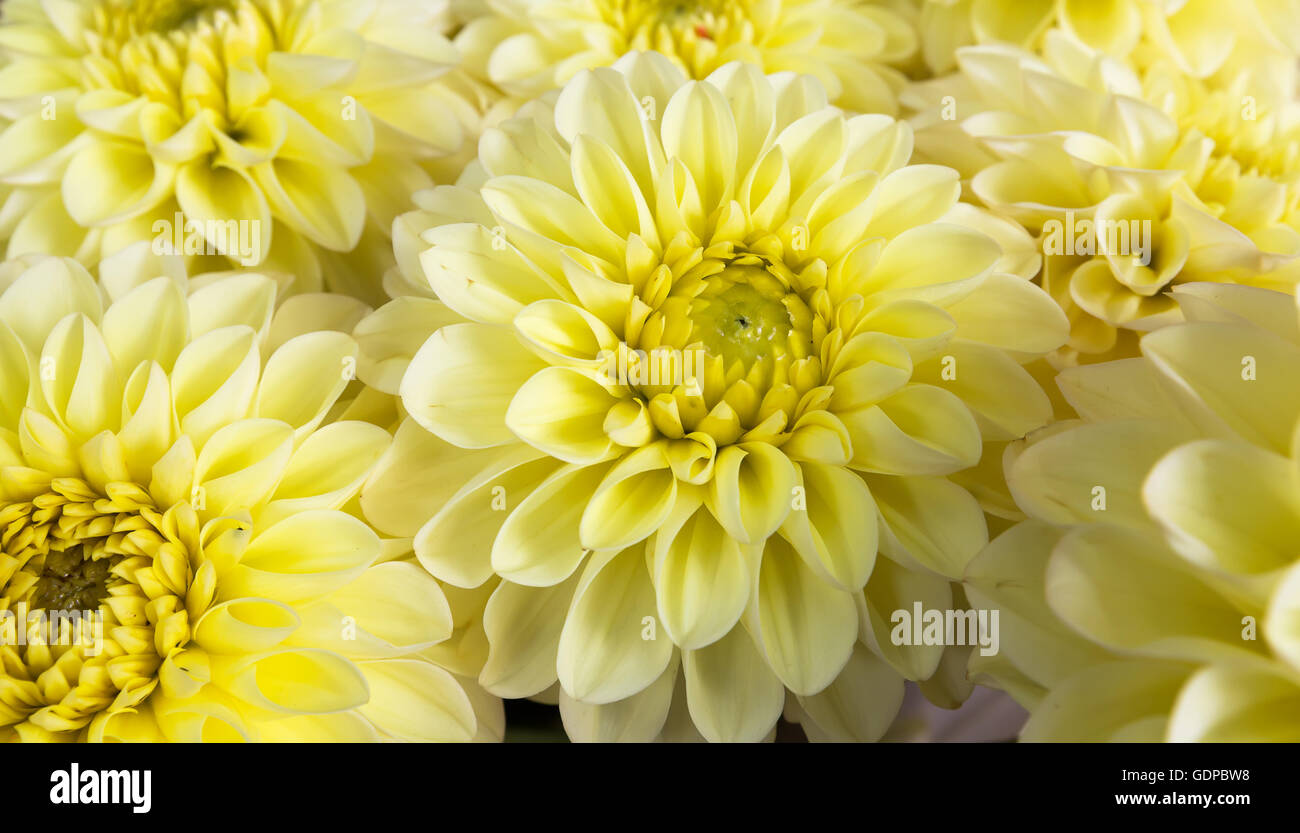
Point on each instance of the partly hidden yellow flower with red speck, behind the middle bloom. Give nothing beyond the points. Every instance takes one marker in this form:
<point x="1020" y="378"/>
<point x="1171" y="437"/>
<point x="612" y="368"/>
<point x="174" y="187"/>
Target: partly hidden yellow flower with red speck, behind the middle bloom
<point x="852" y="46"/>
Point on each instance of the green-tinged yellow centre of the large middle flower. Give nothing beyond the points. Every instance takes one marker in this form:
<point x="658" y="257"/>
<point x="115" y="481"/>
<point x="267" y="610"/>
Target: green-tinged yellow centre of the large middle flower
<point x="746" y="328"/>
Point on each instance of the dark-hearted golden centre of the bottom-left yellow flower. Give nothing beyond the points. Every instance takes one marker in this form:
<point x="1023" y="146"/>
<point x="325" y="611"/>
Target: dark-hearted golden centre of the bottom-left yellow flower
<point x="120" y="569"/>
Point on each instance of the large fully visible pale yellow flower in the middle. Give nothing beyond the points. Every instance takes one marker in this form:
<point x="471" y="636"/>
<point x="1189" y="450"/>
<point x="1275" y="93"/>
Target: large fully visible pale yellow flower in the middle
<point x="690" y="371"/>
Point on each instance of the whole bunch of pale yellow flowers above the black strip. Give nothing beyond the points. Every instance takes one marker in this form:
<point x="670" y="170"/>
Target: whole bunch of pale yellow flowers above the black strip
<point x="712" y="370"/>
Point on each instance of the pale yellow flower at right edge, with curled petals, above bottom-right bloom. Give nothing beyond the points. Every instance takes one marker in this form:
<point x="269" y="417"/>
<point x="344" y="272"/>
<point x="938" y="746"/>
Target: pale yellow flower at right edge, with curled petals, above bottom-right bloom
<point x="1128" y="201"/>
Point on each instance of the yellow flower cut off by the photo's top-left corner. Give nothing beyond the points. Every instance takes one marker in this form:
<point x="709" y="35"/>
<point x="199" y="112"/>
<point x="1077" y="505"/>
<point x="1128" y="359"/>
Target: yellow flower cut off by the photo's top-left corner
<point x="281" y="133"/>
